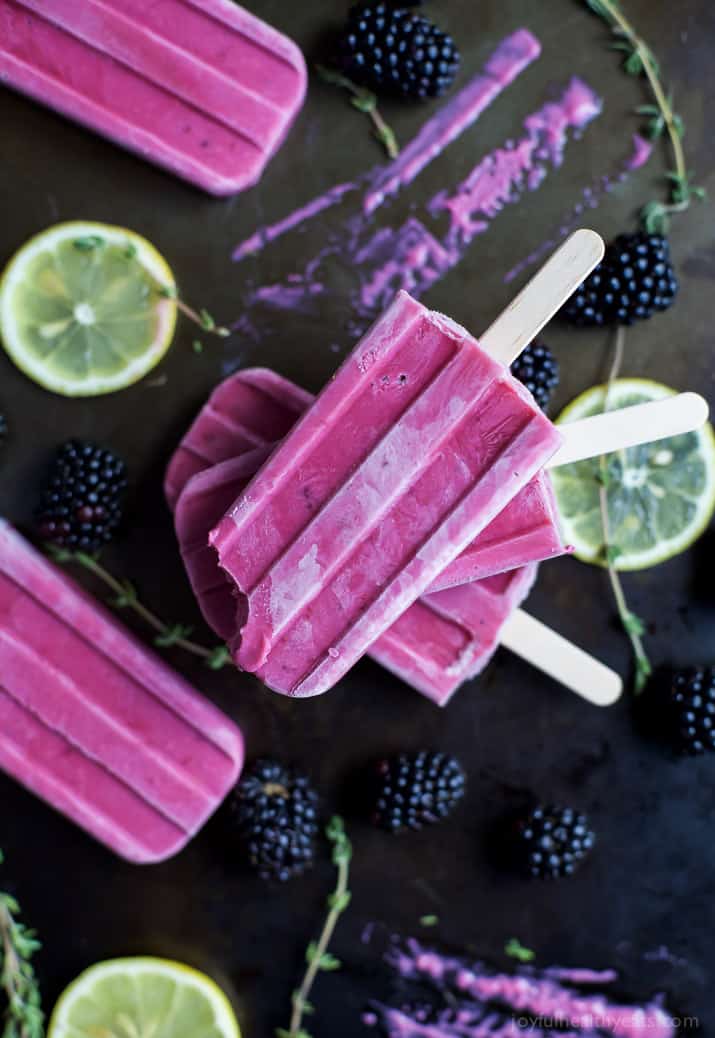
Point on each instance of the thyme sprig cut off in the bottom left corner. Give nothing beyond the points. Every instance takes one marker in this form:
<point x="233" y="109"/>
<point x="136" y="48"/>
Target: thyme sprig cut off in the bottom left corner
<point x="22" y="1016"/>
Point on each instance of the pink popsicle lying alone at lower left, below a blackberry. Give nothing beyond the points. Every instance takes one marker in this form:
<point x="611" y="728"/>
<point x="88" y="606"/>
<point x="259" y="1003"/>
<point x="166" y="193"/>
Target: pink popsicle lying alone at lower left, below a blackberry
<point x="96" y="725"/>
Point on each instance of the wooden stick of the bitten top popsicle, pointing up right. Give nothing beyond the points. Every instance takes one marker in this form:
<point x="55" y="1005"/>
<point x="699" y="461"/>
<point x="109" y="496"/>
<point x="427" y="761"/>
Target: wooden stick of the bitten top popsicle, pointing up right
<point x="544" y="295"/>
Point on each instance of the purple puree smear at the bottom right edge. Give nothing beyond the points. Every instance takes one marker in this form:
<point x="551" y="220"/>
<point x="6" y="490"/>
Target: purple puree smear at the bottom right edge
<point x="476" y="1001"/>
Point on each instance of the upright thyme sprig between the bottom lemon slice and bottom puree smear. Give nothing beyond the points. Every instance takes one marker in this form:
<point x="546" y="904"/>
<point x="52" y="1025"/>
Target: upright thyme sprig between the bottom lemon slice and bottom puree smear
<point x="318" y="958"/>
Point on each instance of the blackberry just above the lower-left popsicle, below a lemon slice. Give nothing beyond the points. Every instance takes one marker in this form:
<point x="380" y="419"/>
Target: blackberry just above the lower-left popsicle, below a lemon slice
<point x="81" y="505"/>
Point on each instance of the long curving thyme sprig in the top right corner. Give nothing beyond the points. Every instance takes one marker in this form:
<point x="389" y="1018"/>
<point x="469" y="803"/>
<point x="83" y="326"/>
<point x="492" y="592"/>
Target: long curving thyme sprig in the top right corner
<point x="662" y="117"/>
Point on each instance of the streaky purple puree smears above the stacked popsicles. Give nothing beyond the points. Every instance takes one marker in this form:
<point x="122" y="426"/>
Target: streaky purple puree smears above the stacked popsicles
<point x="374" y="263"/>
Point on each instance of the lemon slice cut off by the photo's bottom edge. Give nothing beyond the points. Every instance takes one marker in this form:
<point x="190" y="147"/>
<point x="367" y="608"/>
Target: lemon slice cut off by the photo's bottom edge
<point x="144" y="998"/>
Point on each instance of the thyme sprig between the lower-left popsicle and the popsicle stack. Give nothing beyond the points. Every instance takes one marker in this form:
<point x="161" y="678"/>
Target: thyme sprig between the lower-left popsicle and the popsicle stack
<point x="126" y="597"/>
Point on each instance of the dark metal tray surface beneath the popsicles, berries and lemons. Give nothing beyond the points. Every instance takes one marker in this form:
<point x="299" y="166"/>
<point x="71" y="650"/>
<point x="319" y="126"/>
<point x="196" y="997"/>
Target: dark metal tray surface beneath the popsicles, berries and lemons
<point x="651" y="882"/>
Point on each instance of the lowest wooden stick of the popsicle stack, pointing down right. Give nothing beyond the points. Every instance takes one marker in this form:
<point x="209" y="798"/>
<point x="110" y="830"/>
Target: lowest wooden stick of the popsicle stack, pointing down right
<point x="560" y="659"/>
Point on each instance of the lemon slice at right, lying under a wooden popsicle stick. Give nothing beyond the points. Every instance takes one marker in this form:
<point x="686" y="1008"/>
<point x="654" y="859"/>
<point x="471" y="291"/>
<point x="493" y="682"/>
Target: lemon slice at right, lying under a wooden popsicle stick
<point x="662" y="497"/>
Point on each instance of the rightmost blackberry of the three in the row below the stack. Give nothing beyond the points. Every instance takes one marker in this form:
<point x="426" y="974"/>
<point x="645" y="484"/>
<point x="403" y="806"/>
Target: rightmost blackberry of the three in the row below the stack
<point x="551" y="842"/>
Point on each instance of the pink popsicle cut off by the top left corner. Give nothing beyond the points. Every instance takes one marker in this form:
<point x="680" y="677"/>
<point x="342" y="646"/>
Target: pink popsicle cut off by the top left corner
<point x="202" y="88"/>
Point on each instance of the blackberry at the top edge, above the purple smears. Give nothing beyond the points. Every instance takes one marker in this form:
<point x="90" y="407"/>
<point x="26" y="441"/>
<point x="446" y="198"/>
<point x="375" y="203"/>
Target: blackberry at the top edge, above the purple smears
<point x="396" y="51"/>
